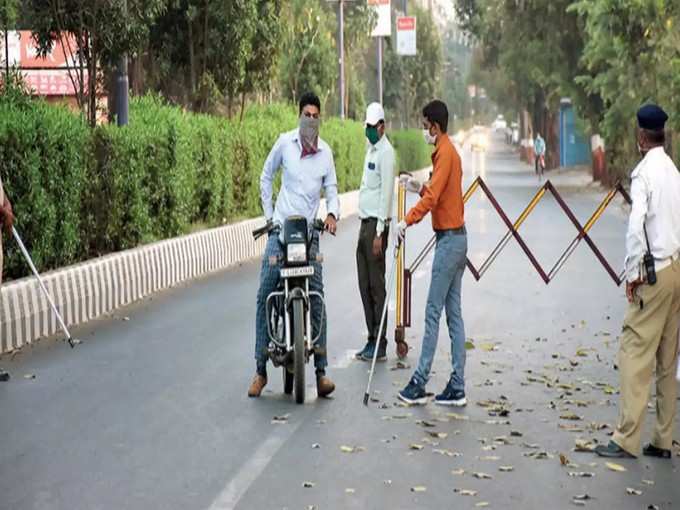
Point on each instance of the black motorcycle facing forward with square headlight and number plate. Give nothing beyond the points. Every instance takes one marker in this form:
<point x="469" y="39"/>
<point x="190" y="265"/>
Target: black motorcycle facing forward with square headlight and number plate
<point x="289" y="307"/>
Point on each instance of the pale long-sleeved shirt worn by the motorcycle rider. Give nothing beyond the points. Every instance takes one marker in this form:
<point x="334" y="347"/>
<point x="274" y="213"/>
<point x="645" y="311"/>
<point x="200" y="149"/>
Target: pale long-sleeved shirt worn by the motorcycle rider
<point x="302" y="182"/>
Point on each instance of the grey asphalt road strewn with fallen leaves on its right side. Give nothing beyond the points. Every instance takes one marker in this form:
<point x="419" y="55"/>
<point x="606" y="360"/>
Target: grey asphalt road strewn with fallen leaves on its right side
<point x="151" y="410"/>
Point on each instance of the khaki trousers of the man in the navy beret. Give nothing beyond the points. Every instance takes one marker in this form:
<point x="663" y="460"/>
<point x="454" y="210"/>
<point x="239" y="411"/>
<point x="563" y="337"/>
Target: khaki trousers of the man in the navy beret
<point x="649" y="339"/>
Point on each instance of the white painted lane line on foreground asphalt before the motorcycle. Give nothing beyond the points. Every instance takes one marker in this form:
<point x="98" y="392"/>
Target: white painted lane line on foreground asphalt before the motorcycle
<point x="251" y="470"/>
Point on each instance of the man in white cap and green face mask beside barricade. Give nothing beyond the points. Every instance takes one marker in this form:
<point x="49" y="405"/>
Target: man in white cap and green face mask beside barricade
<point x="375" y="210"/>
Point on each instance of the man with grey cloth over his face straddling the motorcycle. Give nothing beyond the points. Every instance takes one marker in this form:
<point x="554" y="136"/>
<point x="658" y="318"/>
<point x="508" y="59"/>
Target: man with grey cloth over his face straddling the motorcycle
<point x="307" y="167"/>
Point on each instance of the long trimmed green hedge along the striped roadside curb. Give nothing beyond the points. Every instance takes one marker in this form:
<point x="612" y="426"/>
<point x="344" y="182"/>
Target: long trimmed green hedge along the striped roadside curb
<point x="80" y="193"/>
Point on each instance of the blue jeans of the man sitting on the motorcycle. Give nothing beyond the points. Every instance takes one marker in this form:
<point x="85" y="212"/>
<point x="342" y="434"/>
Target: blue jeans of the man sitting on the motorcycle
<point x="269" y="281"/>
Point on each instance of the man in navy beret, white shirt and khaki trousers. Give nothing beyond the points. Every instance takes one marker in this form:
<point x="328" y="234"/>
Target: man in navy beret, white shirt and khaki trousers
<point x="650" y="327"/>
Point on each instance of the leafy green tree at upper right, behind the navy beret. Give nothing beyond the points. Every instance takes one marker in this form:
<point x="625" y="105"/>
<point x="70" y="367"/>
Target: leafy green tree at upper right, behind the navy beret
<point x="631" y="56"/>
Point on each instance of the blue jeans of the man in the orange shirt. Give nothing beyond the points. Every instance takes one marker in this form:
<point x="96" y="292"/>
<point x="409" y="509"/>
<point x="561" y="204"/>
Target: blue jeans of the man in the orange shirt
<point x="447" y="275"/>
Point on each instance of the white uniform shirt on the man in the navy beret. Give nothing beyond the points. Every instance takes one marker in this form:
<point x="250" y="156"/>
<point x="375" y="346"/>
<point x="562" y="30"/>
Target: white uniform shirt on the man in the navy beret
<point x="655" y="190"/>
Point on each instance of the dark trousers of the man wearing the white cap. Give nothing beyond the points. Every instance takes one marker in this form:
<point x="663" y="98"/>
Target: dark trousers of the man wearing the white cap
<point x="371" y="273"/>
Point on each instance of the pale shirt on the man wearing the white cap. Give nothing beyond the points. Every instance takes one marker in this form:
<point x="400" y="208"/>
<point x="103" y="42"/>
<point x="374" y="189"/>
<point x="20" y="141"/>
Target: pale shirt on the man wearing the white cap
<point x="377" y="183"/>
